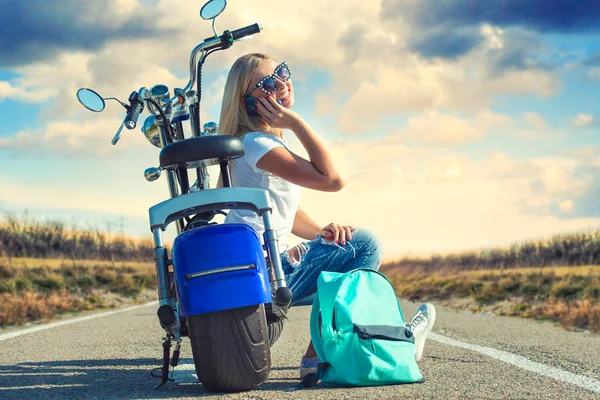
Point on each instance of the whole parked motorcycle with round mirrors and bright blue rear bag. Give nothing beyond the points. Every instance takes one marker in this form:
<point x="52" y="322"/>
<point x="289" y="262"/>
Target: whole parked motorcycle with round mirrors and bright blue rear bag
<point x="221" y="287"/>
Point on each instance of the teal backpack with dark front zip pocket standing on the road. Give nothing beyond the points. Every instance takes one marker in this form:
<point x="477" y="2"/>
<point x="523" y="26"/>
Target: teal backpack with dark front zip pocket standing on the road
<point x="363" y="340"/>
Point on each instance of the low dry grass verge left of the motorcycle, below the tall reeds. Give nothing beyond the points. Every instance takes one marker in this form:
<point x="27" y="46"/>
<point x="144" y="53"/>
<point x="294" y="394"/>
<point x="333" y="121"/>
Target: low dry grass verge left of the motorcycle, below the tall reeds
<point x="39" y="291"/>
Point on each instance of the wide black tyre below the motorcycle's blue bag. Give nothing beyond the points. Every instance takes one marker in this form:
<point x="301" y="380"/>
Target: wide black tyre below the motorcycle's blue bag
<point x="230" y="348"/>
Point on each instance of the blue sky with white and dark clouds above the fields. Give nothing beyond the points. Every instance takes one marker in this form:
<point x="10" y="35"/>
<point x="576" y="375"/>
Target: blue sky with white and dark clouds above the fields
<point x="457" y="124"/>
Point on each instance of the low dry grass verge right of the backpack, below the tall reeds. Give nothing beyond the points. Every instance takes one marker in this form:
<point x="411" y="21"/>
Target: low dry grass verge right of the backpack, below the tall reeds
<point x="569" y="296"/>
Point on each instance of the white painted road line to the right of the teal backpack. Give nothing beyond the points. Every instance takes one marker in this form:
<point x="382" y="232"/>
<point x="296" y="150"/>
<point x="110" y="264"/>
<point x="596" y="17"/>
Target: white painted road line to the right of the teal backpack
<point x="524" y="363"/>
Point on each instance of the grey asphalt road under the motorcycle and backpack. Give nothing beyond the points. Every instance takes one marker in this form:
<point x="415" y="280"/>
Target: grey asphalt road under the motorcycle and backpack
<point x="469" y="356"/>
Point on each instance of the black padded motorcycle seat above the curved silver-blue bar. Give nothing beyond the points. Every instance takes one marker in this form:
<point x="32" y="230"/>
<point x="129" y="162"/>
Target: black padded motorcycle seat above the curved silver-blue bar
<point x="207" y="149"/>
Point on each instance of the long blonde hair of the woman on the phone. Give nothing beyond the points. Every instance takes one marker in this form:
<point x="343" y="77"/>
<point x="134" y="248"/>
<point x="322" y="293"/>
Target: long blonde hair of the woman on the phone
<point x="234" y="119"/>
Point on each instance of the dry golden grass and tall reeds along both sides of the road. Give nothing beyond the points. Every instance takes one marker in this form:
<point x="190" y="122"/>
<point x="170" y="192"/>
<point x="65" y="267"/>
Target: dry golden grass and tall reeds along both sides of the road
<point x="47" y="269"/>
